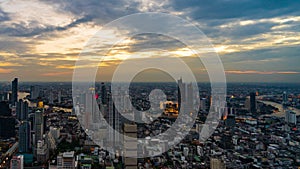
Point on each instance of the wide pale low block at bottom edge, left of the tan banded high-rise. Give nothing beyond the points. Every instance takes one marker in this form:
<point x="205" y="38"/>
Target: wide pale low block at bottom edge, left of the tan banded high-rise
<point x="66" y="160"/>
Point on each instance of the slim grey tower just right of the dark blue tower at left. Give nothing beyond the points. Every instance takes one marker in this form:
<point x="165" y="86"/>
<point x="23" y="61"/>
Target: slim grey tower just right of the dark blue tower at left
<point x="39" y="119"/>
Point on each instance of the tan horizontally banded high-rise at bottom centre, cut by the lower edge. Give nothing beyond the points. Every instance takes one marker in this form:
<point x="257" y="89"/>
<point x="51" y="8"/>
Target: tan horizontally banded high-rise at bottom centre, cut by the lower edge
<point x="130" y="145"/>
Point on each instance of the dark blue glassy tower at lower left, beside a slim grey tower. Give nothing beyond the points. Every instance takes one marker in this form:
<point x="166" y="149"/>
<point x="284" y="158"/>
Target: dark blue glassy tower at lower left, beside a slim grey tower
<point x="24" y="137"/>
